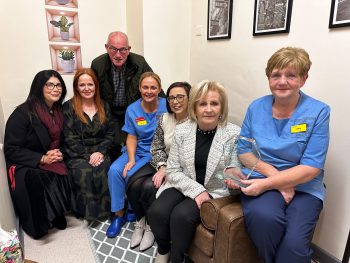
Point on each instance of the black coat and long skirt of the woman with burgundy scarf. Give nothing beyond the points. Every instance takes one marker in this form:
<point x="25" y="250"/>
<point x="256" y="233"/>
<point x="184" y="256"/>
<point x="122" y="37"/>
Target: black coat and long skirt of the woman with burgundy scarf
<point x="38" y="196"/>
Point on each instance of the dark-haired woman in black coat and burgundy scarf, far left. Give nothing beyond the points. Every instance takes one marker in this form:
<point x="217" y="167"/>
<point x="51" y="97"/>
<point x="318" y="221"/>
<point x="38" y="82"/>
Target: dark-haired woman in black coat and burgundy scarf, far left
<point x="40" y="188"/>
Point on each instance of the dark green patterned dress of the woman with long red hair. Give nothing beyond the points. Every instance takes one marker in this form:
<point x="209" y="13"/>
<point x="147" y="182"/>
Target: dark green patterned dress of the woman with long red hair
<point x="89" y="184"/>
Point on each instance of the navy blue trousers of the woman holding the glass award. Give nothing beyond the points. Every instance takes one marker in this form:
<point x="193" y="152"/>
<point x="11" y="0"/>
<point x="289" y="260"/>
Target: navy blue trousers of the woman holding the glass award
<point x="281" y="232"/>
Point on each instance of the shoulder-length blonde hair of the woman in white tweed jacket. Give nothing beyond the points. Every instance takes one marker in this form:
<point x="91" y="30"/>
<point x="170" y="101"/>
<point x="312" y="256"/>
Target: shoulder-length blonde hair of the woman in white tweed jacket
<point x="201" y="90"/>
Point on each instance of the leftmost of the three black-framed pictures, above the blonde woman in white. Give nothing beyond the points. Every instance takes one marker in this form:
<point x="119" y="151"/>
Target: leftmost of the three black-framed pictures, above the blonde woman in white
<point x="219" y="19"/>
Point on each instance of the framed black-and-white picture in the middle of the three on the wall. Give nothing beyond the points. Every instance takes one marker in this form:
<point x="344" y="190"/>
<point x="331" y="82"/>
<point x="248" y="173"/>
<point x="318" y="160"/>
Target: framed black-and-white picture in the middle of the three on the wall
<point x="272" y="17"/>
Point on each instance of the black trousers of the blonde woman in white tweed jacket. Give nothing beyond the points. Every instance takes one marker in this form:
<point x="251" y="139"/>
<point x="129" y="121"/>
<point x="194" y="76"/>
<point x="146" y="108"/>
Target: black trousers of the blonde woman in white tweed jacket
<point x="173" y="218"/>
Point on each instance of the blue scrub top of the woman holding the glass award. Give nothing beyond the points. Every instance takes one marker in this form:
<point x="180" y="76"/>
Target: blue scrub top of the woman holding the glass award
<point x="300" y="140"/>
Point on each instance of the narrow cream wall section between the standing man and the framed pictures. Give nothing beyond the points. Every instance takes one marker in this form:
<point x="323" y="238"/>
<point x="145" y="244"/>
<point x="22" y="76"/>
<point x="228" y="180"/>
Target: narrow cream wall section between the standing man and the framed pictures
<point x="166" y="29"/>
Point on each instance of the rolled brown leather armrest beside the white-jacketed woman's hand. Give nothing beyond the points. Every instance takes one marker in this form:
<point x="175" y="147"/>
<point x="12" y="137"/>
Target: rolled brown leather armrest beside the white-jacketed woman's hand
<point x="210" y="210"/>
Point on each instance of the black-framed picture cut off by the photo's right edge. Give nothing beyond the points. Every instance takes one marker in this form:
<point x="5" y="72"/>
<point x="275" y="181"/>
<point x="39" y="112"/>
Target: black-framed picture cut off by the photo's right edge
<point x="340" y="13"/>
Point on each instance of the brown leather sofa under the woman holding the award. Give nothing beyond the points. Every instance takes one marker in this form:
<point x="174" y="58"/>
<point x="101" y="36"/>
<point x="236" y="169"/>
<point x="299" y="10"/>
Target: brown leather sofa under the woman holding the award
<point x="221" y="237"/>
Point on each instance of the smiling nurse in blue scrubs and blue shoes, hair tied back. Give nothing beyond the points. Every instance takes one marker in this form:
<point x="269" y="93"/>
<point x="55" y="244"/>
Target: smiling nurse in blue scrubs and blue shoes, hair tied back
<point x="141" y="119"/>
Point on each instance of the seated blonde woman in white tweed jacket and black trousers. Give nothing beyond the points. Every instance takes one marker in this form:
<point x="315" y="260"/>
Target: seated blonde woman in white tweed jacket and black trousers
<point x="202" y="148"/>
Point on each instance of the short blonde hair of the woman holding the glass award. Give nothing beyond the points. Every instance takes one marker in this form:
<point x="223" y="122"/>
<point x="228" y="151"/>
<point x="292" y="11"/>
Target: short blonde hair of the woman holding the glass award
<point x="293" y="57"/>
